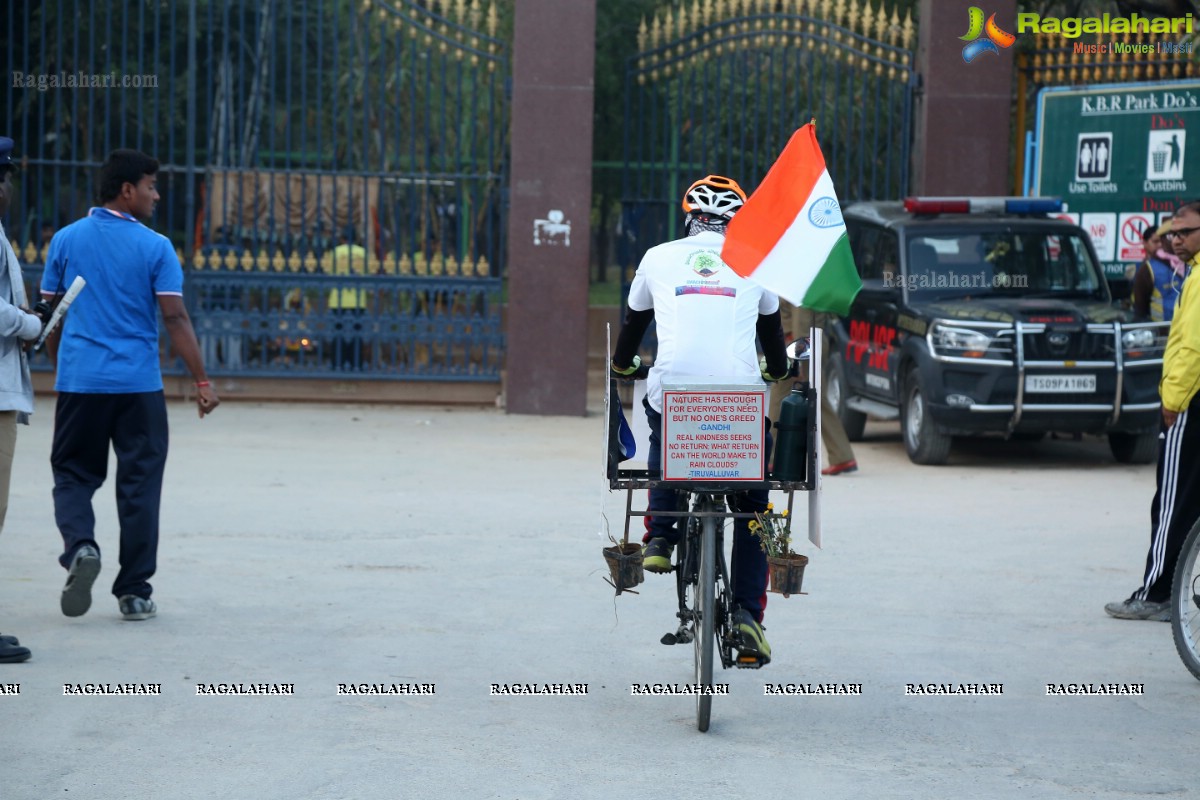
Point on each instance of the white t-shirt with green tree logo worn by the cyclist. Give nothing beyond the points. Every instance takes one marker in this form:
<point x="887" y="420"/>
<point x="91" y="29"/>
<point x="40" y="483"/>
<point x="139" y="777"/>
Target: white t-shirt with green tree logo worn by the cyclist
<point x="706" y="314"/>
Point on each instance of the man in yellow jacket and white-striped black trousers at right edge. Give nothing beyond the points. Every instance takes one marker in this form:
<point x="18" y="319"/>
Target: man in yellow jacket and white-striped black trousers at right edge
<point x="1177" y="506"/>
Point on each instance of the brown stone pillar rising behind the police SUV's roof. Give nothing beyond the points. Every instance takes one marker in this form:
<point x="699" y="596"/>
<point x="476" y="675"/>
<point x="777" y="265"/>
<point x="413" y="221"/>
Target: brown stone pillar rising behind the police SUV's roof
<point x="963" y="112"/>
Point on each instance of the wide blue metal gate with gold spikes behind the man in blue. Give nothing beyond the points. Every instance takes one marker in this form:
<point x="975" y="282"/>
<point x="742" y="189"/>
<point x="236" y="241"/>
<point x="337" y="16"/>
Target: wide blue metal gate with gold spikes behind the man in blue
<point x="333" y="171"/>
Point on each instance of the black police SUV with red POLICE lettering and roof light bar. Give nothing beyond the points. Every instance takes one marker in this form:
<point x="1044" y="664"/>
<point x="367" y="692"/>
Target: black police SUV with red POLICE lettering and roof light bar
<point x="989" y="315"/>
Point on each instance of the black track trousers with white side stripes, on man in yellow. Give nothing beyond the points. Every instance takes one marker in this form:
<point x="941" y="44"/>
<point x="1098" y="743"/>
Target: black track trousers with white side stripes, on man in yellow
<point x="1177" y="506"/>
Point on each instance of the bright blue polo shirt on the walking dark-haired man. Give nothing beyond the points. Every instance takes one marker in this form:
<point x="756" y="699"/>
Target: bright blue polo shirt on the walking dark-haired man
<point x="110" y="341"/>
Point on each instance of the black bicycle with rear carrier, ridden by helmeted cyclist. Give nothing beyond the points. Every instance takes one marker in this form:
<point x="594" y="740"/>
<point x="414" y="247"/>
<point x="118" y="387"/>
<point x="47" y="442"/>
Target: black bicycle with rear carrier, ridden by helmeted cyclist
<point x="703" y="584"/>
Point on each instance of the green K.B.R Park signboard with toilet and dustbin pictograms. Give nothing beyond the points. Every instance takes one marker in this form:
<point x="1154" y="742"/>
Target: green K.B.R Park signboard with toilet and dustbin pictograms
<point x="1118" y="155"/>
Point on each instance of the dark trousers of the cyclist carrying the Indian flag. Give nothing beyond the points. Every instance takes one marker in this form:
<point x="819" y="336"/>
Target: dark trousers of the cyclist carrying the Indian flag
<point x="748" y="570"/>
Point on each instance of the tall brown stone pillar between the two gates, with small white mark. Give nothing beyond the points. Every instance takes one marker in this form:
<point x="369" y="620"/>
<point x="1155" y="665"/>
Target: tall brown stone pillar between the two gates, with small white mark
<point x="554" y="63"/>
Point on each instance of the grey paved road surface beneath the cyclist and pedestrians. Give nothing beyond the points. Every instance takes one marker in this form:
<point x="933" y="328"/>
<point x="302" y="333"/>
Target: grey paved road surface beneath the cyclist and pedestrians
<point x="325" y="545"/>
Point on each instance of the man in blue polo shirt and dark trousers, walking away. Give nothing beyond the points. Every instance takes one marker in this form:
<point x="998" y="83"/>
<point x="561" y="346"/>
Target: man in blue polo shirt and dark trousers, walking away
<point x="110" y="382"/>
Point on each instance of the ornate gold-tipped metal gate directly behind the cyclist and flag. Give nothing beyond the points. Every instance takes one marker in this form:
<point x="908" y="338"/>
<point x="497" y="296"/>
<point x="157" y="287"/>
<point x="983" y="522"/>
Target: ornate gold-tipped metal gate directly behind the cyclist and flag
<point x="719" y="87"/>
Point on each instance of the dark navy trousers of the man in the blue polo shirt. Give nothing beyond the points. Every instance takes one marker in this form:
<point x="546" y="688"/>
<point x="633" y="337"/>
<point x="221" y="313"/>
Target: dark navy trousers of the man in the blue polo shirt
<point x="136" y="425"/>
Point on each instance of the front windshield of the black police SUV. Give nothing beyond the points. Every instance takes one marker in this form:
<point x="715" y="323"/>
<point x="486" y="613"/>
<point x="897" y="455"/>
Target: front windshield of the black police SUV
<point x="1005" y="263"/>
